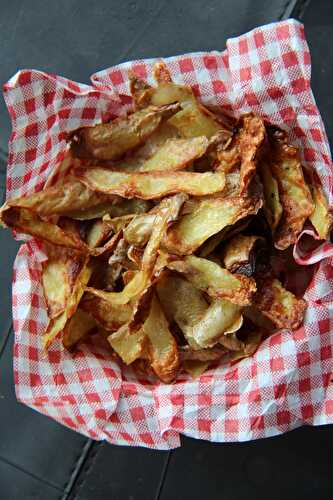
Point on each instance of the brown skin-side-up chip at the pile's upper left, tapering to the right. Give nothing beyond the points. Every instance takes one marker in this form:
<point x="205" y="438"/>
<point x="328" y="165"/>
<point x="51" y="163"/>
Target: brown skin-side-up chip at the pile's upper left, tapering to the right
<point x="109" y="141"/>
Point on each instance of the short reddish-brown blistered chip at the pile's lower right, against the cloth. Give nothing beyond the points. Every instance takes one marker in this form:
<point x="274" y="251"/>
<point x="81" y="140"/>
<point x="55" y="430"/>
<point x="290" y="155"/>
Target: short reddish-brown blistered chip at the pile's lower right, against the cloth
<point x="279" y="305"/>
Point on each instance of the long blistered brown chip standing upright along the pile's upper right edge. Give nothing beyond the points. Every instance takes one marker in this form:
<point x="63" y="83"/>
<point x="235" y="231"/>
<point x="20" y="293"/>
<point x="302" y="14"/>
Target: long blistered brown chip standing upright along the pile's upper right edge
<point x="294" y="194"/>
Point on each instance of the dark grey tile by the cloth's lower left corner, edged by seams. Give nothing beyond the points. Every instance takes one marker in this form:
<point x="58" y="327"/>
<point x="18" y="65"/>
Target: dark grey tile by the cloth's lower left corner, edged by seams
<point x="32" y="441"/>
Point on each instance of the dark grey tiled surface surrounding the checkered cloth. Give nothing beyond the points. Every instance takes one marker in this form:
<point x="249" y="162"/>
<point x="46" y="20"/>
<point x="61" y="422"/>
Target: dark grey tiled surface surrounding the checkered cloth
<point x="40" y="459"/>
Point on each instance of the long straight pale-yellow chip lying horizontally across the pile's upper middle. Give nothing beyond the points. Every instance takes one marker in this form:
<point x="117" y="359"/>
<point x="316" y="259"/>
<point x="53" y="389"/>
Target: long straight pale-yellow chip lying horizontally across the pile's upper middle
<point x="150" y="185"/>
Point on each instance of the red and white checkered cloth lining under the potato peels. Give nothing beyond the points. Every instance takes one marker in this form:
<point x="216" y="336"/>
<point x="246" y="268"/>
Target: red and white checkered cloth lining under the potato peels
<point x="289" y="381"/>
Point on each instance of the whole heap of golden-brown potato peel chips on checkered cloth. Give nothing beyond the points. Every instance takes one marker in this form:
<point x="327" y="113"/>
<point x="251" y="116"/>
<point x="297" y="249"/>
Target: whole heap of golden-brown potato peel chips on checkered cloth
<point x="162" y="237"/>
